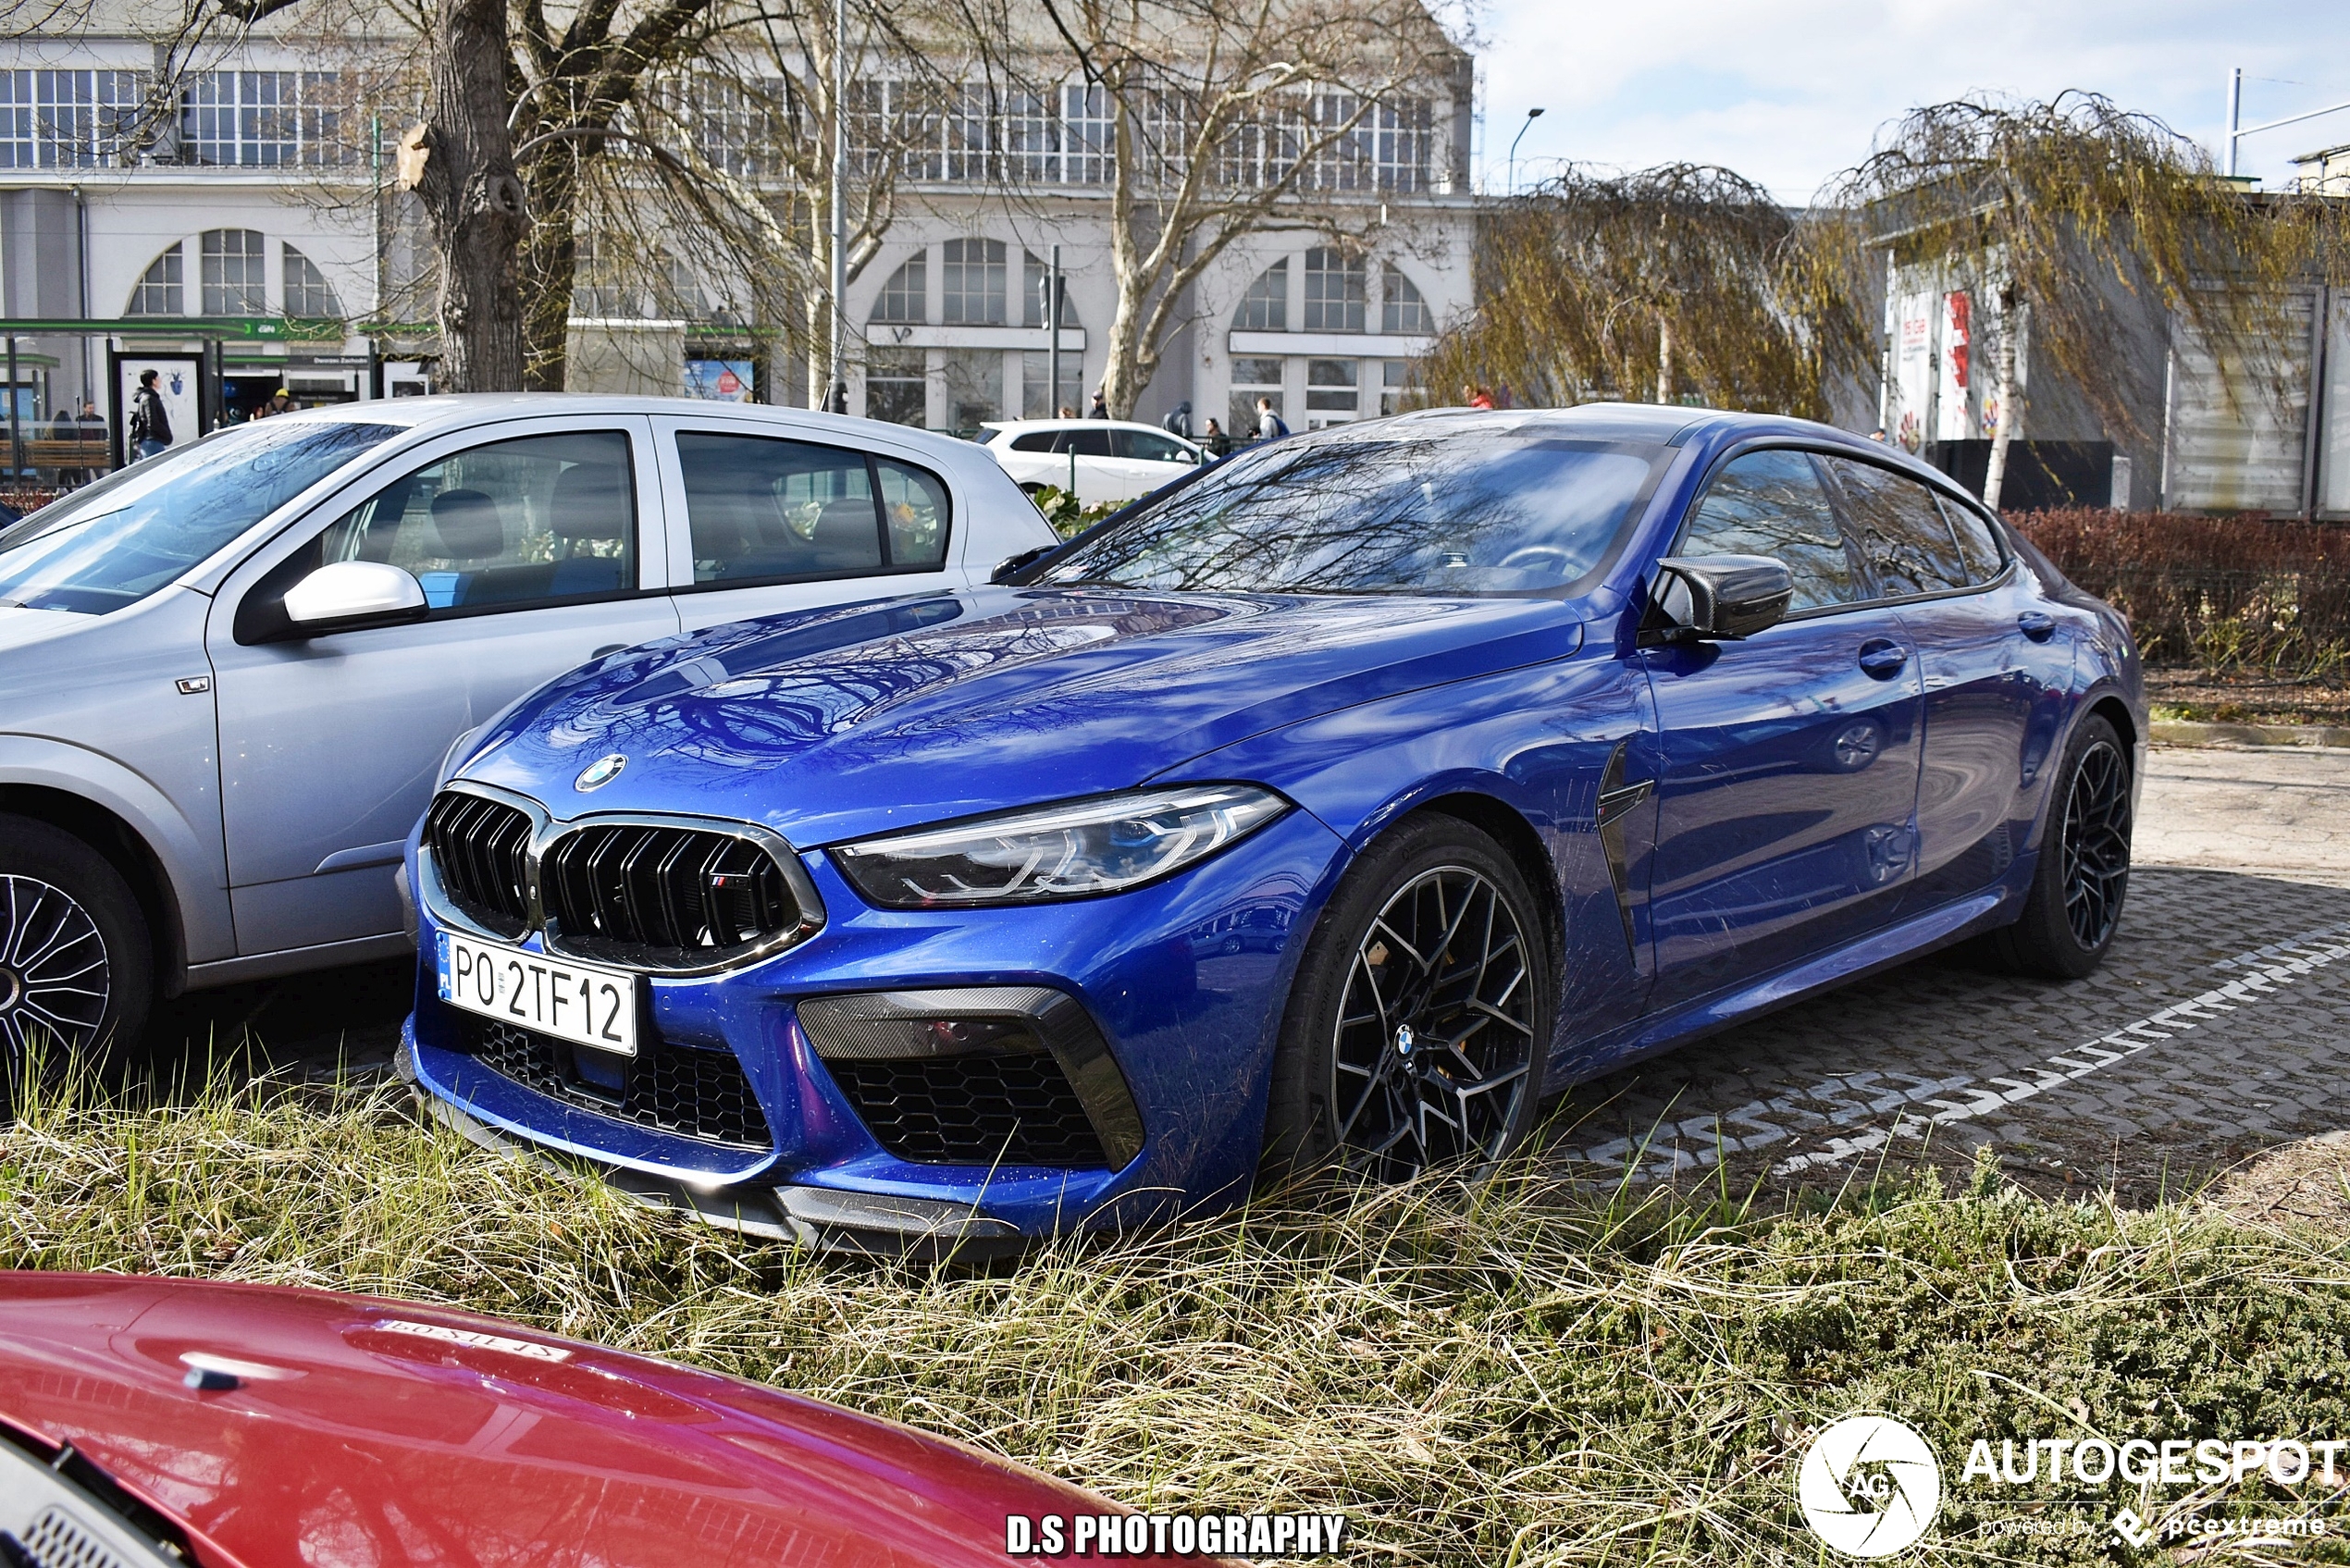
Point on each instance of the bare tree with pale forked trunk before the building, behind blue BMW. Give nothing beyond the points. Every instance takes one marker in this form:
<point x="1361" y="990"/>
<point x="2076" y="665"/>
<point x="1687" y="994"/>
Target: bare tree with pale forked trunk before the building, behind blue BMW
<point x="1218" y="121"/>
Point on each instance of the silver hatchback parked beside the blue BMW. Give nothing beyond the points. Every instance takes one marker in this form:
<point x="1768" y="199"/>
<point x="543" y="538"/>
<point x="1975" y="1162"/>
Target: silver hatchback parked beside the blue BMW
<point x="229" y="676"/>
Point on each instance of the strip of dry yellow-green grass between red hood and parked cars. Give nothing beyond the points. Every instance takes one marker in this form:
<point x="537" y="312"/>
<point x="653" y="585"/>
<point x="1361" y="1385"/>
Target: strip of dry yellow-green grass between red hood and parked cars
<point x="1496" y="1376"/>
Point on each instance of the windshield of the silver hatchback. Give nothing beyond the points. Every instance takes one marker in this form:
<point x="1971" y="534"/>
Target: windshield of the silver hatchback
<point x="137" y="530"/>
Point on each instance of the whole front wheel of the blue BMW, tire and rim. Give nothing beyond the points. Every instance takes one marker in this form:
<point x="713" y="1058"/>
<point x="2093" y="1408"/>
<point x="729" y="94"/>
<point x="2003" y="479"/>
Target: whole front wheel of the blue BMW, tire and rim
<point x="1367" y="1090"/>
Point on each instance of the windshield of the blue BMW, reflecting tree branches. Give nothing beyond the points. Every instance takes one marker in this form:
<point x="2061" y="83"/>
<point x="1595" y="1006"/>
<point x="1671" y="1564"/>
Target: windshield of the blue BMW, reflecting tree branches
<point x="1409" y="514"/>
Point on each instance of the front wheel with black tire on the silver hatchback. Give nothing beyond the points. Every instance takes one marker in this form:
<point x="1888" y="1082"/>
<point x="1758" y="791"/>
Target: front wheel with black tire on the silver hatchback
<point x="76" y="965"/>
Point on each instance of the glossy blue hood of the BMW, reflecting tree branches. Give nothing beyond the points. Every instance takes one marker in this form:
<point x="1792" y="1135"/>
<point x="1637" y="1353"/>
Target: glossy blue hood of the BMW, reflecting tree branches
<point x="868" y="718"/>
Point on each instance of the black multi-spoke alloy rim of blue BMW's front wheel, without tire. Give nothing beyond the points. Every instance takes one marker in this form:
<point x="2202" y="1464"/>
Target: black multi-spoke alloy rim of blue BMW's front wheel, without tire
<point x="1435" y="1028"/>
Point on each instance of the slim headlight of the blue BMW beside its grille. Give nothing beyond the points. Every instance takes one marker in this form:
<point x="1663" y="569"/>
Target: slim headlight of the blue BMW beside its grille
<point x="1077" y="850"/>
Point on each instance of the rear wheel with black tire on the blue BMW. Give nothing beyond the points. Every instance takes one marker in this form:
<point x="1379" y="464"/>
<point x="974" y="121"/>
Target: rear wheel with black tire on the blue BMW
<point x="2076" y="902"/>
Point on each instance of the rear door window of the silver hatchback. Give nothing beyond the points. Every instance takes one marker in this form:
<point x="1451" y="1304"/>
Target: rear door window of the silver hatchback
<point x="763" y="509"/>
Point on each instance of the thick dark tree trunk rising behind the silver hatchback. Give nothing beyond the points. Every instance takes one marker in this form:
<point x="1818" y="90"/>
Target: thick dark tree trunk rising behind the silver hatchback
<point x="474" y="201"/>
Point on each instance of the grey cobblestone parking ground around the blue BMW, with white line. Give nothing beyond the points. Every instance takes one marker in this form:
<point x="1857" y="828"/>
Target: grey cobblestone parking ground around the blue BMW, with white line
<point x="2217" y="1026"/>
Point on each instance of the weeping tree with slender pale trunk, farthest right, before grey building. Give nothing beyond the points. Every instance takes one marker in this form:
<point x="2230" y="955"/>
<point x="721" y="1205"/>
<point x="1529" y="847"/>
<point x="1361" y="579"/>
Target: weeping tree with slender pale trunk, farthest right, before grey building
<point x="2062" y="213"/>
